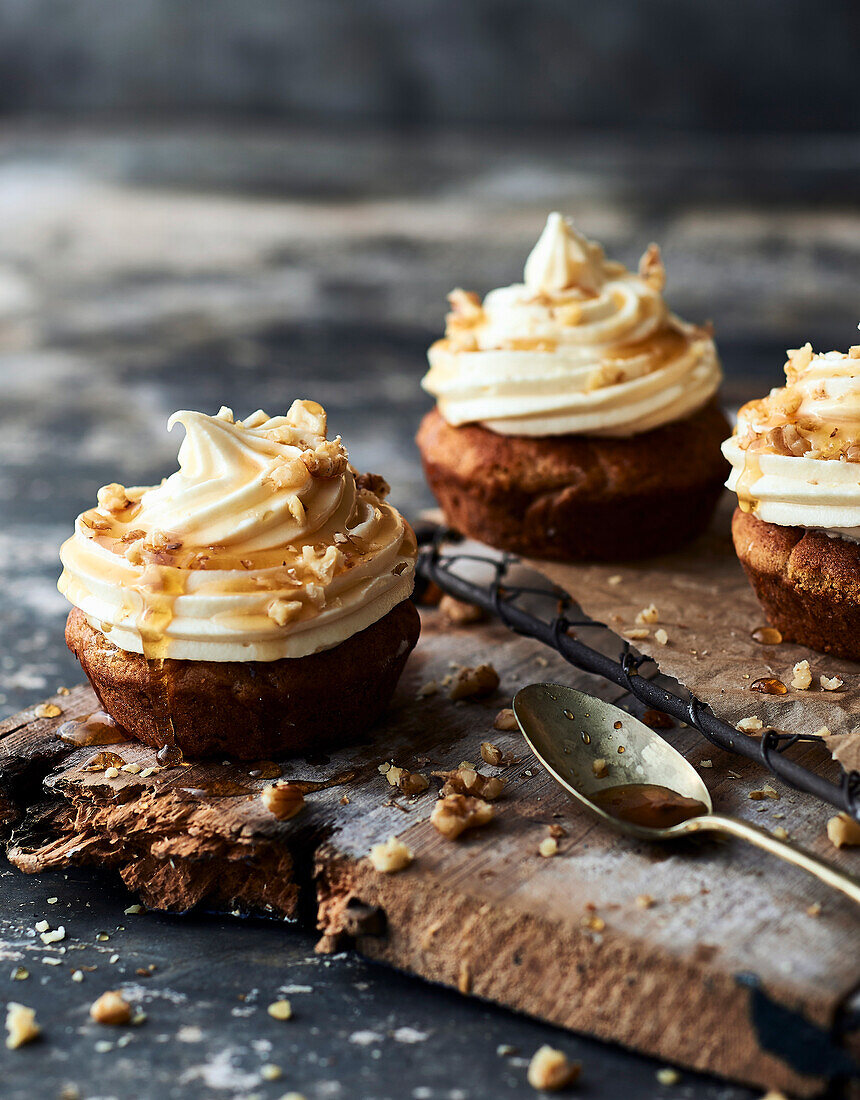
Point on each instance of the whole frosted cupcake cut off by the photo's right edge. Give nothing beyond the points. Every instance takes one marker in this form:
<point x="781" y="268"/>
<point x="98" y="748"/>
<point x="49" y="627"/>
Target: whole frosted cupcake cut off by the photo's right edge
<point x="796" y="468"/>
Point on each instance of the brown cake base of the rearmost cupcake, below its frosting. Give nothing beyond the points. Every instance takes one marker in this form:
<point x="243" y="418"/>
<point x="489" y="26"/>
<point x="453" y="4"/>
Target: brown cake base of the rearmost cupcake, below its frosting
<point x="577" y="498"/>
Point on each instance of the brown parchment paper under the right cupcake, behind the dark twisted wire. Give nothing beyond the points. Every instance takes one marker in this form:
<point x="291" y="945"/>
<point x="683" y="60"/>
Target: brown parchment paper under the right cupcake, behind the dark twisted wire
<point x="709" y="610"/>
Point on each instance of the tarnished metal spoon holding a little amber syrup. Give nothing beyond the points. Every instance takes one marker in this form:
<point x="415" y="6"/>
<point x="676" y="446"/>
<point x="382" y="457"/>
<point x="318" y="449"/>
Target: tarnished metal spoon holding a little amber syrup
<point x="592" y="747"/>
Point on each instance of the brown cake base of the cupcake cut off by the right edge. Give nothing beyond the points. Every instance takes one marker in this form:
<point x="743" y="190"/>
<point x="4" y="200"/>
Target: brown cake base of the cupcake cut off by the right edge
<point x="808" y="584"/>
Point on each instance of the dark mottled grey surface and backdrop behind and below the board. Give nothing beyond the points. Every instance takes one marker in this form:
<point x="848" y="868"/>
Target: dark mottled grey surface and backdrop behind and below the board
<point x="207" y="203"/>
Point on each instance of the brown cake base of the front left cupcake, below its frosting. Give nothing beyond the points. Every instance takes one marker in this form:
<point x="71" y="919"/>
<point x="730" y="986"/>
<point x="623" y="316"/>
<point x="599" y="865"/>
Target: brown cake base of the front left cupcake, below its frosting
<point x="256" y="709"/>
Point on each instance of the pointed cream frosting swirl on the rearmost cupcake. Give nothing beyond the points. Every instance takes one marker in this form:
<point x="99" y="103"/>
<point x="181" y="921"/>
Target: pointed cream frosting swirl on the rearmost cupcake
<point x="581" y="347"/>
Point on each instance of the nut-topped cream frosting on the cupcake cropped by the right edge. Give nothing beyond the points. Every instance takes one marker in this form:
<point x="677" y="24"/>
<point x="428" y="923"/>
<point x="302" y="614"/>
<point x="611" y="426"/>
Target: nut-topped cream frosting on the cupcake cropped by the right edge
<point x="796" y="454"/>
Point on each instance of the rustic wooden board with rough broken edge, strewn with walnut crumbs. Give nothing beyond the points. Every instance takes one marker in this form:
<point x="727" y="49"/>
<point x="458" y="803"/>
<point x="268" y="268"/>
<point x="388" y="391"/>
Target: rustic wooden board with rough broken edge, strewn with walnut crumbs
<point x="727" y="972"/>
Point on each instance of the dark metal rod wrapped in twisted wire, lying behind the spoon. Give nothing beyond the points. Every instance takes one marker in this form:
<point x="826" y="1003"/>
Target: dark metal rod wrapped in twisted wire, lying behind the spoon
<point x="442" y="562"/>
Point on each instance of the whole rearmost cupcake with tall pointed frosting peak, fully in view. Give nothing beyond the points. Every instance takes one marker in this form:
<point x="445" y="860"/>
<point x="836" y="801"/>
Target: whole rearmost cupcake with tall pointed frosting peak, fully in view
<point x="577" y="417"/>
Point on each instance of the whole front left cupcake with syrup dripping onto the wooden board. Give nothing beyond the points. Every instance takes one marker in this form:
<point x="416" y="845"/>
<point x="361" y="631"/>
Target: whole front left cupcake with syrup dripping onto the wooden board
<point x="256" y="603"/>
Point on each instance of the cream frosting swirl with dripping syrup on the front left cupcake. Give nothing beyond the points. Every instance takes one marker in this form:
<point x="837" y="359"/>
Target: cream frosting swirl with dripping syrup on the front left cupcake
<point x="264" y="545"/>
